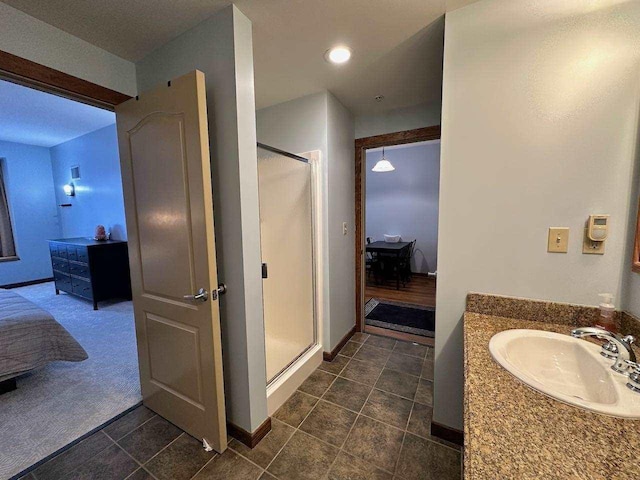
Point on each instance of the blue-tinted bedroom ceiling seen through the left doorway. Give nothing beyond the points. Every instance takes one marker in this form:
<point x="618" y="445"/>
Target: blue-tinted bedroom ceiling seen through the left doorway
<point x="33" y="117"/>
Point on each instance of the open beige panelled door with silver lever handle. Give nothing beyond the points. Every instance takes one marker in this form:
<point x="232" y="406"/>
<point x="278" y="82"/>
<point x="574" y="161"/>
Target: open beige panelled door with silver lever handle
<point x="164" y="154"/>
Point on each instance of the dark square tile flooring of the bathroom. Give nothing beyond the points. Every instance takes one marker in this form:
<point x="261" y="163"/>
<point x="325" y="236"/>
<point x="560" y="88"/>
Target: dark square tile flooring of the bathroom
<point x="366" y="415"/>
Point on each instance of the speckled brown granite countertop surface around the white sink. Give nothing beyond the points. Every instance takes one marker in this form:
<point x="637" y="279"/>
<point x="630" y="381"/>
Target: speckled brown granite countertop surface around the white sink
<point x="514" y="432"/>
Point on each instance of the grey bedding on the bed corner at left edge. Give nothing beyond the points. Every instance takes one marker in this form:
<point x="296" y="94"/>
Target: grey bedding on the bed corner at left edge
<point x="30" y="337"/>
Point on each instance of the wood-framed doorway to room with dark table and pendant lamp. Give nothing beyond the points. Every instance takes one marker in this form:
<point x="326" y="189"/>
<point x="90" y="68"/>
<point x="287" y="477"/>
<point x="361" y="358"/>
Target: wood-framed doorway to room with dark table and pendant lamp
<point x="397" y="190"/>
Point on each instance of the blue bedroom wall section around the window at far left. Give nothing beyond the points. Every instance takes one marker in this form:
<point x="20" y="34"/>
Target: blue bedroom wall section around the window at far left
<point x="32" y="204"/>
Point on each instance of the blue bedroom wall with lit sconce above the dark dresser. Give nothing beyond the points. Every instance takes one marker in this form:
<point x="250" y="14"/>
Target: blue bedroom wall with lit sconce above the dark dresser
<point x="98" y="198"/>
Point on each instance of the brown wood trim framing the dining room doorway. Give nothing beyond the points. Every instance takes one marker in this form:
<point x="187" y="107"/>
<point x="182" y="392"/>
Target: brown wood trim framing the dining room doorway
<point x="363" y="144"/>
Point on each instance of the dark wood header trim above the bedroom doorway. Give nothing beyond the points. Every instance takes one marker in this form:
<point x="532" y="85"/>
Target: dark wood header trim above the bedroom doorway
<point x="34" y="75"/>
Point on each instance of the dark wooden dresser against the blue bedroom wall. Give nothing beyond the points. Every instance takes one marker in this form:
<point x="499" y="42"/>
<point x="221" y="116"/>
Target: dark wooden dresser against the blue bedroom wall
<point x="91" y="269"/>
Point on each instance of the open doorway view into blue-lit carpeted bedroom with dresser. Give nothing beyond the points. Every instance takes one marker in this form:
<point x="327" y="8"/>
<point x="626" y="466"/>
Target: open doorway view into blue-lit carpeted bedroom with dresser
<point x="65" y="289"/>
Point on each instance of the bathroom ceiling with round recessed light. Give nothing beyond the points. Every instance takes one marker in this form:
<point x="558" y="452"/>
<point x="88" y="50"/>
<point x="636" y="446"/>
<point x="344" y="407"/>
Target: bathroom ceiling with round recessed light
<point x="397" y="44"/>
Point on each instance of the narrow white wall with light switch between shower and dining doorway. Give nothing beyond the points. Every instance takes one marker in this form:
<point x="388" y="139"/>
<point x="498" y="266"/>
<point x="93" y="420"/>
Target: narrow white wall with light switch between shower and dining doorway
<point x="341" y="192"/>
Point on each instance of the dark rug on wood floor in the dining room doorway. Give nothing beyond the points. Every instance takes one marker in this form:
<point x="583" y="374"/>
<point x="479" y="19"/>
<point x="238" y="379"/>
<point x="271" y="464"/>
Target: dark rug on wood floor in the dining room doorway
<point x="401" y="317"/>
